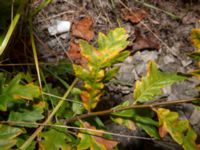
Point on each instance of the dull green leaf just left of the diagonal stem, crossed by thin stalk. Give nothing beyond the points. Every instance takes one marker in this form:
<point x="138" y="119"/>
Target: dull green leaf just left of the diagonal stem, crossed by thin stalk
<point x="26" y="116"/>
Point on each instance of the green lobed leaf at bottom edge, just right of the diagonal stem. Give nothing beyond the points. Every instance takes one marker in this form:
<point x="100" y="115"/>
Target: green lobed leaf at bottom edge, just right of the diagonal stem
<point x="55" y="139"/>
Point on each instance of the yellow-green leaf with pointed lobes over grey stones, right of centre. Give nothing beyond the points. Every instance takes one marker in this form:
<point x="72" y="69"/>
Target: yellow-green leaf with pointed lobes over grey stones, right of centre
<point x="151" y="85"/>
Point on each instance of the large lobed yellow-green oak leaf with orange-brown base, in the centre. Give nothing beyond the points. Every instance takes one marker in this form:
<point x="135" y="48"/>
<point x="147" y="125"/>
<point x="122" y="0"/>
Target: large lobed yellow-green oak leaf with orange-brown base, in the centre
<point x="95" y="73"/>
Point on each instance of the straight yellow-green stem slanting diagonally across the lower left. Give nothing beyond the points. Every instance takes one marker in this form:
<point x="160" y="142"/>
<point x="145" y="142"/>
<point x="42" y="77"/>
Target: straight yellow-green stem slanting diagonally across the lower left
<point x="38" y="130"/>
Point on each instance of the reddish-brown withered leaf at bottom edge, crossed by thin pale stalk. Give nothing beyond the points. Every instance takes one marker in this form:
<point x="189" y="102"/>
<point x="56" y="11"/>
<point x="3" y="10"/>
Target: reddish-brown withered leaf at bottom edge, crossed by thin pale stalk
<point x="109" y="144"/>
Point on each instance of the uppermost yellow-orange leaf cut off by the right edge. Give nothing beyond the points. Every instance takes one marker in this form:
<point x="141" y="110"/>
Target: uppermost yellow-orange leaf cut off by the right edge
<point x="196" y="37"/>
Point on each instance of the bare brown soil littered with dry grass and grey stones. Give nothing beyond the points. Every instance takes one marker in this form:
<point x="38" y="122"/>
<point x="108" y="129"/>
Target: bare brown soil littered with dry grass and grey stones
<point x="165" y="39"/>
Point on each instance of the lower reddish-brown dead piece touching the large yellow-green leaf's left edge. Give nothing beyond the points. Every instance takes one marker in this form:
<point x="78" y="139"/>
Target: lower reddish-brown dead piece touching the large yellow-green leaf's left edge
<point x="74" y="52"/>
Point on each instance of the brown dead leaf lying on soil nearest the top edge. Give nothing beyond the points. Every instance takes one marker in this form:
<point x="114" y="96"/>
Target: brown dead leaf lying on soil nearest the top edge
<point x="135" y="16"/>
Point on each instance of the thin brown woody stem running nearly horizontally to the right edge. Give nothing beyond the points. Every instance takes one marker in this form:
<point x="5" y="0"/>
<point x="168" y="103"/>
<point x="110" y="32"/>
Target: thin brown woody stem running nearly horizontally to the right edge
<point x="108" y="111"/>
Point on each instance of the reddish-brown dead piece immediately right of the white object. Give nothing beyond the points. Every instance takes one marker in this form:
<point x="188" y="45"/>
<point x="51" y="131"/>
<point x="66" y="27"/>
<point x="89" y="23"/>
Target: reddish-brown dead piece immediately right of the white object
<point x="83" y="28"/>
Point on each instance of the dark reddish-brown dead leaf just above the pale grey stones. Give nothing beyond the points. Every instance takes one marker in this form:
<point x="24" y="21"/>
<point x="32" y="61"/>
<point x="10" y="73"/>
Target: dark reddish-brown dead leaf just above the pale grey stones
<point x="144" y="41"/>
